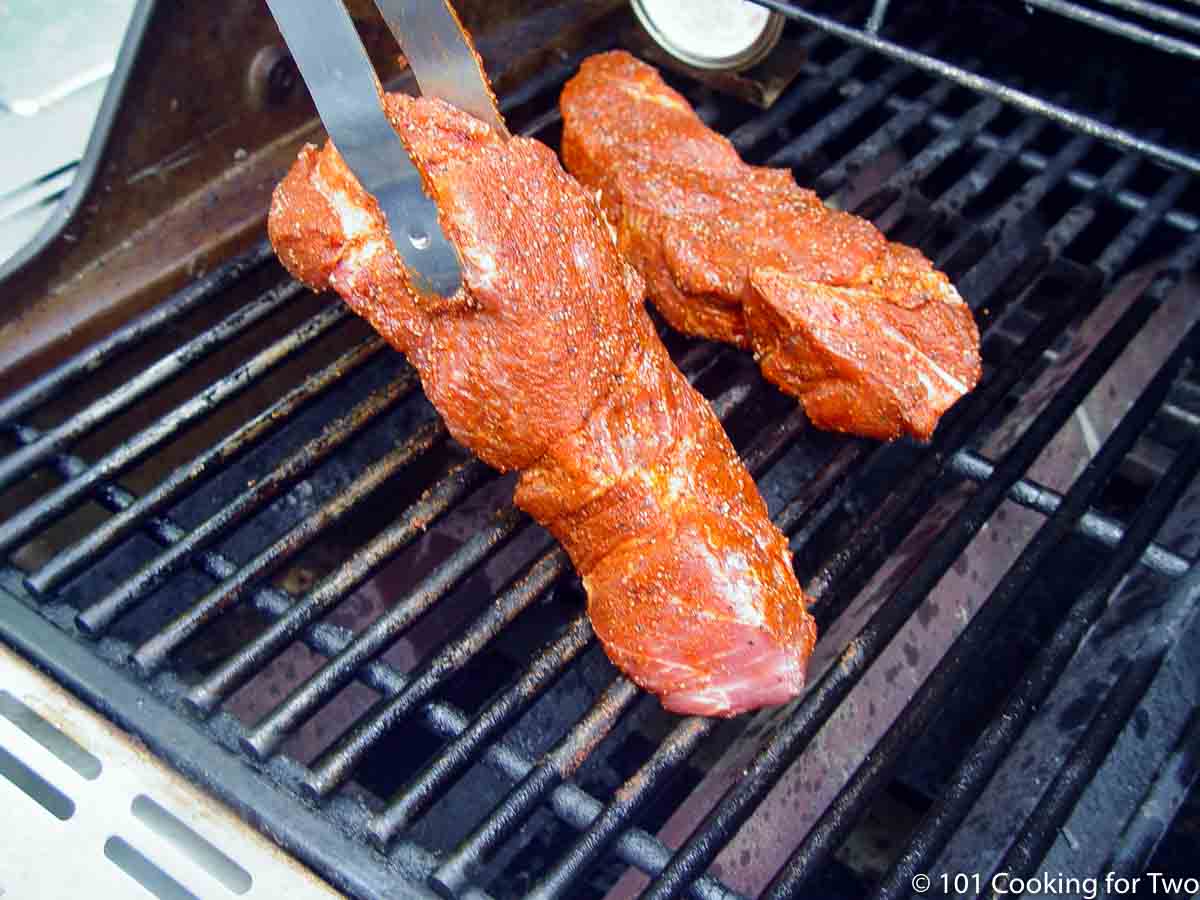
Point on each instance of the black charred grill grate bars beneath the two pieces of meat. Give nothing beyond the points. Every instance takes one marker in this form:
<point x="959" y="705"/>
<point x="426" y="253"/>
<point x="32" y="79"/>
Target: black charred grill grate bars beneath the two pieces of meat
<point x="173" y="579"/>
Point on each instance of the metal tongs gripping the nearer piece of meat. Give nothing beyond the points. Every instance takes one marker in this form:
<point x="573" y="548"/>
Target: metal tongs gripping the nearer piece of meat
<point x="346" y="89"/>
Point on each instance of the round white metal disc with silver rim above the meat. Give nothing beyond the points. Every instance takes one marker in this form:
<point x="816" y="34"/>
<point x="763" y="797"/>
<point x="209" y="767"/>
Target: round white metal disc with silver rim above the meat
<point x="712" y="34"/>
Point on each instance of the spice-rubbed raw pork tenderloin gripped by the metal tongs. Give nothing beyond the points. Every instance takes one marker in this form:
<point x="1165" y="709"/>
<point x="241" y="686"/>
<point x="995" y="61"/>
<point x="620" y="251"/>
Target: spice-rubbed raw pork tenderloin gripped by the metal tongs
<point x="547" y="362"/>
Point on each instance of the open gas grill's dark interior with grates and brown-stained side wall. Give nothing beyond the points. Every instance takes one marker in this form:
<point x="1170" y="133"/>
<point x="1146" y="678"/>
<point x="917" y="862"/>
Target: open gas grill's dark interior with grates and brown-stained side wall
<point x="235" y="526"/>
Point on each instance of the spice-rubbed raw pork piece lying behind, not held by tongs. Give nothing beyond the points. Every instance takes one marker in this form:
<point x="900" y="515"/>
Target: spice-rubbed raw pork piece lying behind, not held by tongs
<point x="871" y="338"/>
